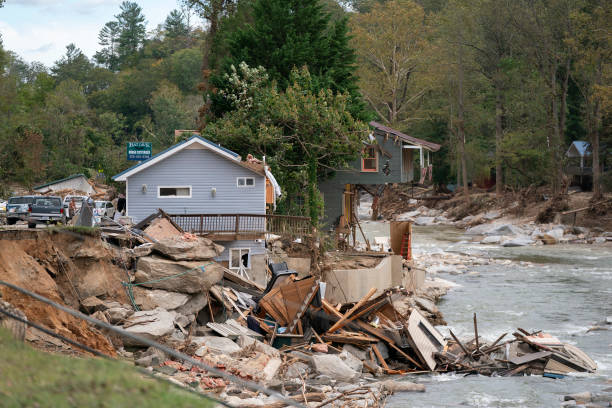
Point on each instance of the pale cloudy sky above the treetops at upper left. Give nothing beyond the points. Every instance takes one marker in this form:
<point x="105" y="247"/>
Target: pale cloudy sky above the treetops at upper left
<point x="40" y="30"/>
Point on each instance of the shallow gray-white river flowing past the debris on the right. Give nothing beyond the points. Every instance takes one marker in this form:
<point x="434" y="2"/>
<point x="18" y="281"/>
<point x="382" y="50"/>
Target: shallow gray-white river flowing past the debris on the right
<point x="562" y="289"/>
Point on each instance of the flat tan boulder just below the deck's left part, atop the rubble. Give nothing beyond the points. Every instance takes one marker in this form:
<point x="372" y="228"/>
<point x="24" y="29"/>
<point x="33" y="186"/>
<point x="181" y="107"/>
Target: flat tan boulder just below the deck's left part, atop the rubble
<point x="180" y="249"/>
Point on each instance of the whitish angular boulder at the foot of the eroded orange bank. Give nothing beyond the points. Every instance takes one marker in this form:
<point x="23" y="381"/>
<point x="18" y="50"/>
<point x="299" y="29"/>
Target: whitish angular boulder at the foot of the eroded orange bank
<point x="151" y="324"/>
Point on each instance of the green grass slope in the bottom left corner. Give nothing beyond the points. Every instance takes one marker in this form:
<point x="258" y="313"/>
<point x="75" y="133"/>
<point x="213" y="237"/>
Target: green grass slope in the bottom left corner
<point x="32" y="378"/>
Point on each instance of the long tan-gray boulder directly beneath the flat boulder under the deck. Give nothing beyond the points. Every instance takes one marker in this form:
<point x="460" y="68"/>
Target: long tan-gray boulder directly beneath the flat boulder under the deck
<point x="186" y="277"/>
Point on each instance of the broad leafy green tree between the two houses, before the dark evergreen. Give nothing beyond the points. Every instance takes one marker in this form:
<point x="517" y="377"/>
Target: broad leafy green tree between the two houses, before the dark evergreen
<point x="306" y="134"/>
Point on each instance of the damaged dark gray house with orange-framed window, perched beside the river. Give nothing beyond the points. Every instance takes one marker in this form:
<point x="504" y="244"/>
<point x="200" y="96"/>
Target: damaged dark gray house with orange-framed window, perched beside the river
<point x="388" y="157"/>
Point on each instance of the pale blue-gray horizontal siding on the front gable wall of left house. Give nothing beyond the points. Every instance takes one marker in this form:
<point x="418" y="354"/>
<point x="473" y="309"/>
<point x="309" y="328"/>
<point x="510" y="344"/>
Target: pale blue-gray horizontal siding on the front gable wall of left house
<point x="203" y="170"/>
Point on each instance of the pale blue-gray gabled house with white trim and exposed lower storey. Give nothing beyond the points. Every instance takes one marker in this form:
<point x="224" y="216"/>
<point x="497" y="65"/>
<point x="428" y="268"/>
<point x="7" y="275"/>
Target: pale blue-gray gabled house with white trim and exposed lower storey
<point x="208" y="190"/>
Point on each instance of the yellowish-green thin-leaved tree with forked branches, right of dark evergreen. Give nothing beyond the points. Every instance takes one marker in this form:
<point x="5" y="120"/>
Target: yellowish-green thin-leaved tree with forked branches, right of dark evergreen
<point x="391" y="42"/>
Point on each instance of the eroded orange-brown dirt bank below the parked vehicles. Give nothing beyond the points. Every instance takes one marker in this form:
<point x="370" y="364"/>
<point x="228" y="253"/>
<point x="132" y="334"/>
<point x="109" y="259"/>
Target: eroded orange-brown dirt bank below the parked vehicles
<point x="65" y="267"/>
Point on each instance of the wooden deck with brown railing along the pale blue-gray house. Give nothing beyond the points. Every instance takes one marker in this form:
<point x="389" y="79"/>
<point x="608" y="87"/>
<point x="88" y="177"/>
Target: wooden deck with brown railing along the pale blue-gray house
<point x="229" y="227"/>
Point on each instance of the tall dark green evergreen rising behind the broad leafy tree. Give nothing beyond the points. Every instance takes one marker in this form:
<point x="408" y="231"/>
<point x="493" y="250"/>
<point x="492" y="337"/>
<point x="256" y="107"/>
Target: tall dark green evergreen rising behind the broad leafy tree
<point x="287" y="34"/>
